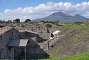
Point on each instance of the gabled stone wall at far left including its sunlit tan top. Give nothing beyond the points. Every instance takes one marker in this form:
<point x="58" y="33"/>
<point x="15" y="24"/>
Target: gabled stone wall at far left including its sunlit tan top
<point x="7" y="34"/>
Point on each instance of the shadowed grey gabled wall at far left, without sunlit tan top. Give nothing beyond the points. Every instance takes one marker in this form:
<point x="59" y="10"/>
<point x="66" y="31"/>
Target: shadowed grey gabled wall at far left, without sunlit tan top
<point x="5" y="39"/>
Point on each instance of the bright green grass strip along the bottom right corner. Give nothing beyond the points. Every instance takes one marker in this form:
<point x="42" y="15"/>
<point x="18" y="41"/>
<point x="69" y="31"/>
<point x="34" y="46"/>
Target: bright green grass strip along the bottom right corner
<point x="81" y="56"/>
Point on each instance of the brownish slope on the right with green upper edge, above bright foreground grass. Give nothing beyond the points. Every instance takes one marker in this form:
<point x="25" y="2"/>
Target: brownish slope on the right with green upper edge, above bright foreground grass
<point x="75" y="41"/>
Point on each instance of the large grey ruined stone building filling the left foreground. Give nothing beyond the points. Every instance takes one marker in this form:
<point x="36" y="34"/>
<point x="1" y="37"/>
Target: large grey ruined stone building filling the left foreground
<point x="18" y="44"/>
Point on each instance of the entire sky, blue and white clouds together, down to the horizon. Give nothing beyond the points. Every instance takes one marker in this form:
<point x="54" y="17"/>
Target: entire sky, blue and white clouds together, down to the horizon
<point x="33" y="9"/>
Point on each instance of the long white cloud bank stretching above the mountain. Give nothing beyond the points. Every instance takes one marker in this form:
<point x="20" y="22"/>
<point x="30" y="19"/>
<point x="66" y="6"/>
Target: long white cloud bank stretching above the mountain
<point x="50" y="7"/>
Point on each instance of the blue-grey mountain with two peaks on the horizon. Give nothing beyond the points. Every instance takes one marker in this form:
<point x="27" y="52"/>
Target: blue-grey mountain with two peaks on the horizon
<point x="63" y="17"/>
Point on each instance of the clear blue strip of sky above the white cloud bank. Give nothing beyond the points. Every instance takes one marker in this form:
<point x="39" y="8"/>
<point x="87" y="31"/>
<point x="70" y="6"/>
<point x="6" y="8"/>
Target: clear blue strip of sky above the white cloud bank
<point x="4" y="4"/>
